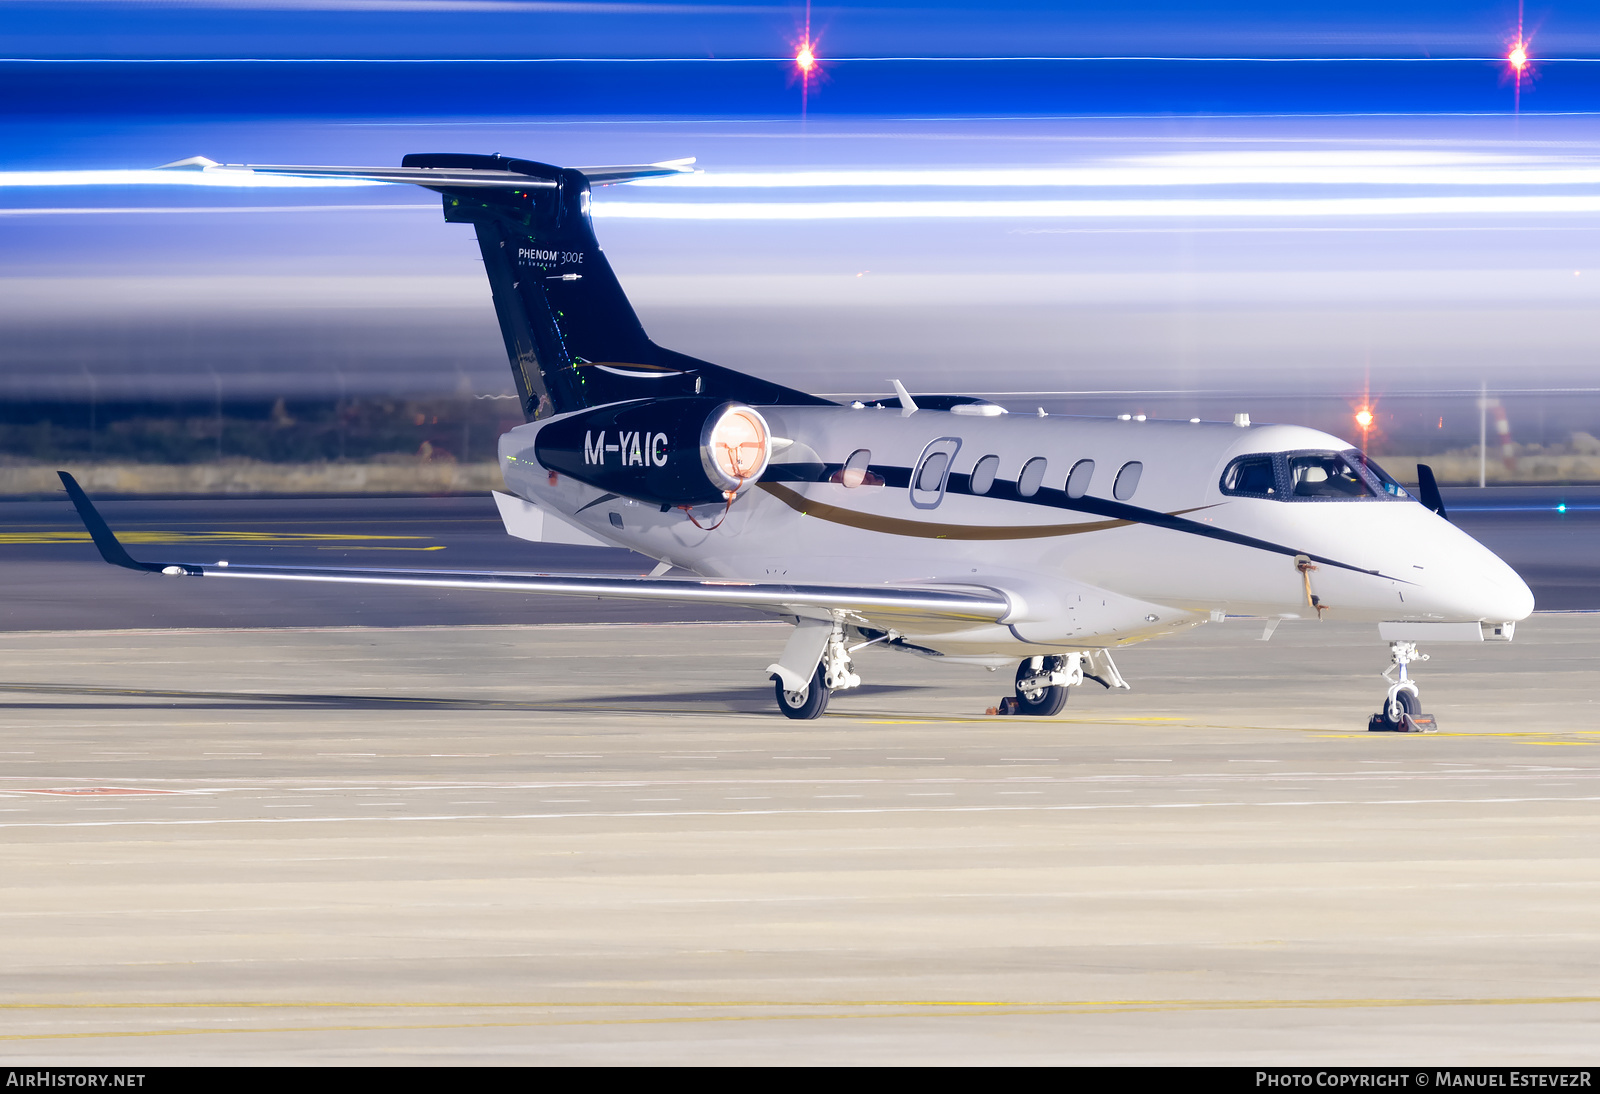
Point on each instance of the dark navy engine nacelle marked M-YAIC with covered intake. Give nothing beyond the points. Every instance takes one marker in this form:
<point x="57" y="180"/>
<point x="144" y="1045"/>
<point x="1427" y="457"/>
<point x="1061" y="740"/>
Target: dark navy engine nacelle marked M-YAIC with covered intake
<point x="665" y="452"/>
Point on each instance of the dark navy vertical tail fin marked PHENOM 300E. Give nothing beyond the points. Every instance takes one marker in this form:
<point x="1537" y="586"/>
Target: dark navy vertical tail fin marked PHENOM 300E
<point x="572" y="337"/>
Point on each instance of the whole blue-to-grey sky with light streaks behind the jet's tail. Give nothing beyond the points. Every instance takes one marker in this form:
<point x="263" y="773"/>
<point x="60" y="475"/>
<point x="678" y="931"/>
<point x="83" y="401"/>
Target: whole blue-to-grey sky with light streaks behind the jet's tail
<point x="143" y="289"/>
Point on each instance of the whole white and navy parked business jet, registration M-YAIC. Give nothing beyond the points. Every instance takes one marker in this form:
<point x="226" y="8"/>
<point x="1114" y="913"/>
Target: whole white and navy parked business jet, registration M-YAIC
<point x="942" y="527"/>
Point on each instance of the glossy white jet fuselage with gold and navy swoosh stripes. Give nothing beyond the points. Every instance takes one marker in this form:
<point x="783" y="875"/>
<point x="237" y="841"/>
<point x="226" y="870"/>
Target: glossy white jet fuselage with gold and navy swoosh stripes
<point x="1081" y="573"/>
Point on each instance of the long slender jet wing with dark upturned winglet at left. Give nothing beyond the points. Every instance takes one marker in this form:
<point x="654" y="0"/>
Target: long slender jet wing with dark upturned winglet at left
<point x="886" y="604"/>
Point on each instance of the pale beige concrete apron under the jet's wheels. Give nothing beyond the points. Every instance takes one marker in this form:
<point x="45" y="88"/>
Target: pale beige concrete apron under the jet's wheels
<point x="601" y="845"/>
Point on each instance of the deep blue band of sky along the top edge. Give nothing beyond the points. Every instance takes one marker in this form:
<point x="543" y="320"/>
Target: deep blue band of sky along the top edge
<point x="906" y="58"/>
